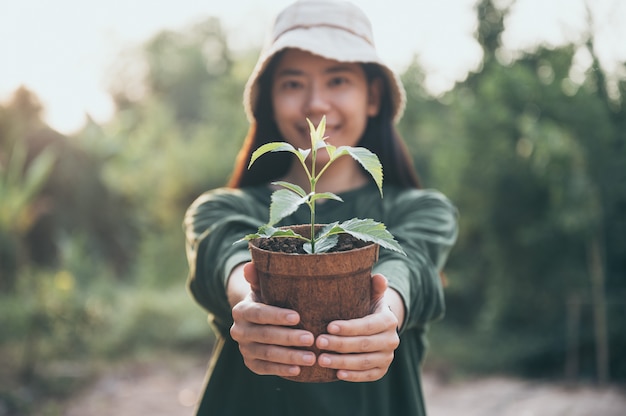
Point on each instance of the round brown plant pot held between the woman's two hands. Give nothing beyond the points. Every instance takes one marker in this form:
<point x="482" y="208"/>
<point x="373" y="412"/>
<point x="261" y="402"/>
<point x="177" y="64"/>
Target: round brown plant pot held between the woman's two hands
<point x="320" y="287"/>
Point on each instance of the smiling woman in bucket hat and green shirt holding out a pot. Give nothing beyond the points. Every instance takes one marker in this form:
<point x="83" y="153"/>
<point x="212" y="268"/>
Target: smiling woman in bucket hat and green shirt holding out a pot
<point x="320" y="61"/>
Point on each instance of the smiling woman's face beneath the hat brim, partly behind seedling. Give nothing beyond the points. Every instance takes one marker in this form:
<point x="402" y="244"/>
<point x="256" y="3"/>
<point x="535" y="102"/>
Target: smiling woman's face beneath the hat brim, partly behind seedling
<point x="308" y="86"/>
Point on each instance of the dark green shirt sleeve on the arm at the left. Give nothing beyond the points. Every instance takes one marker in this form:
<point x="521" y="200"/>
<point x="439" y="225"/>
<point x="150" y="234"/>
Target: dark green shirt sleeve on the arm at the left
<point x="213" y="224"/>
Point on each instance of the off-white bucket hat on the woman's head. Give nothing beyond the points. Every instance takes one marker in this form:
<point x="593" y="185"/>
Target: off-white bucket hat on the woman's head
<point x="333" y="29"/>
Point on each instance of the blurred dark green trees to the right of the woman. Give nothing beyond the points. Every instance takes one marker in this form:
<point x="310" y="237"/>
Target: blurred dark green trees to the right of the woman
<point x="535" y="176"/>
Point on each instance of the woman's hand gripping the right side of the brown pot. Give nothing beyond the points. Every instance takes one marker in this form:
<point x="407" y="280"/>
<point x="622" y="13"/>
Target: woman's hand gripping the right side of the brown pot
<point x="363" y="349"/>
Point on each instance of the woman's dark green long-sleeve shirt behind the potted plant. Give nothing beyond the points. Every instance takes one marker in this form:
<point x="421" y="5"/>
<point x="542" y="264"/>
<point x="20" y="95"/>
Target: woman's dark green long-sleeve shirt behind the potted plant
<point x="423" y="221"/>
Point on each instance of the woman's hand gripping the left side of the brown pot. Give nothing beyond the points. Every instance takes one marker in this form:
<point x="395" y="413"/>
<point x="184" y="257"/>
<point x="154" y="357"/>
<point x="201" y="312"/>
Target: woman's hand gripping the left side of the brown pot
<point x="265" y="333"/>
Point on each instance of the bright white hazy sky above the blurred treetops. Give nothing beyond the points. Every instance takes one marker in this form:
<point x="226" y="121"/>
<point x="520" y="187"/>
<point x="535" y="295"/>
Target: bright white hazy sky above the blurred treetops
<point x="62" y="49"/>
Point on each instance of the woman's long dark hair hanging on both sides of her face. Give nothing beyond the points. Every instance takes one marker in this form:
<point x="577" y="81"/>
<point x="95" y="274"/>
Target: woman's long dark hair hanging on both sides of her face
<point x="380" y="137"/>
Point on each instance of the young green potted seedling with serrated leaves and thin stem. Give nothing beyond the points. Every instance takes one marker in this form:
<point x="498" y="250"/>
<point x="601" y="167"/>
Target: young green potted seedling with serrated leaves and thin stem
<point x="287" y="200"/>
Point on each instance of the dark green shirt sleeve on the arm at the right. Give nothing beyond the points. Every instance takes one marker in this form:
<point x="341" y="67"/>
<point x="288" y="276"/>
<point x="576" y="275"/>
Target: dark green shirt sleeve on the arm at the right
<point x="425" y="224"/>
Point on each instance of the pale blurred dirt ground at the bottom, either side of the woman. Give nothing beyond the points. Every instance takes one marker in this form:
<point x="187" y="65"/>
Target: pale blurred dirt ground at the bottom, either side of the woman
<point x="171" y="390"/>
